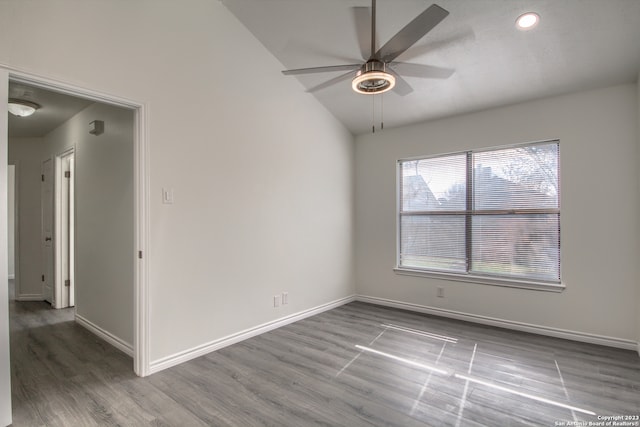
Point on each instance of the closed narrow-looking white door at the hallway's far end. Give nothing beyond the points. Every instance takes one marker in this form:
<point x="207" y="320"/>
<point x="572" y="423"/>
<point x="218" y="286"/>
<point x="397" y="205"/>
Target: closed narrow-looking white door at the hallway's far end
<point x="47" y="230"/>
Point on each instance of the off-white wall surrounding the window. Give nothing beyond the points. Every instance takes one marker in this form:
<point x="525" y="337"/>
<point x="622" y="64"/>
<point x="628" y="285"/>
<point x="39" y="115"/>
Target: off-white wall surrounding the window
<point x="600" y="211"/>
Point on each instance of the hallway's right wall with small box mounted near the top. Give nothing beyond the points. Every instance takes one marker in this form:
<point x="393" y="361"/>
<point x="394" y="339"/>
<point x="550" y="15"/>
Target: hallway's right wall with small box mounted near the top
<point x="104" y="215"/>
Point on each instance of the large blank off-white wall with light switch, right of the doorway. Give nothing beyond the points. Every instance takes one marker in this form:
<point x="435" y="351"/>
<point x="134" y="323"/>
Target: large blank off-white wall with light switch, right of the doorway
<point x="262" y="173"/>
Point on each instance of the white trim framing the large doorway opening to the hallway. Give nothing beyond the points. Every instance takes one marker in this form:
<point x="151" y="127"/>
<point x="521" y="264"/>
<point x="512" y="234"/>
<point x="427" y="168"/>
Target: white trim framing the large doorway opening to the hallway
<point x="141" y="199"/>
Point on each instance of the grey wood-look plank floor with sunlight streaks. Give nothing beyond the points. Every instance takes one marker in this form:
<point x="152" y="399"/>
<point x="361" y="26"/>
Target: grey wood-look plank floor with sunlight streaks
<point x="356" y="365"/>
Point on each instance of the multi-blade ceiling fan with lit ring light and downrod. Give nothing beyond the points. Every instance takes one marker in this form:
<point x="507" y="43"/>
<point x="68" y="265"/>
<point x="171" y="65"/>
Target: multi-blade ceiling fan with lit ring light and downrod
<point x="380" y="73"/>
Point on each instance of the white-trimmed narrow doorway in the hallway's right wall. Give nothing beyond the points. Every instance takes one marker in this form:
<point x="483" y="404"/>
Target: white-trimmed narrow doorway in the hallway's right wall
<point x="65" y="292"/>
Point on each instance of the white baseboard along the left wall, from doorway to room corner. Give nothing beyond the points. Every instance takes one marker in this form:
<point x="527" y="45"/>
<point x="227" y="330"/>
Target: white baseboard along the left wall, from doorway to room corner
<point x="201" y="350"/>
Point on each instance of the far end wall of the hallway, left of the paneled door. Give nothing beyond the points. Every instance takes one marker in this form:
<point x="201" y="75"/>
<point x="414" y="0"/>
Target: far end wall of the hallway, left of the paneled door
<point x="28" y="153"/>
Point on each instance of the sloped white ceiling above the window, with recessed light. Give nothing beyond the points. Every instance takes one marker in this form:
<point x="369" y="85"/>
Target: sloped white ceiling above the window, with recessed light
<point x="578" y="45"/>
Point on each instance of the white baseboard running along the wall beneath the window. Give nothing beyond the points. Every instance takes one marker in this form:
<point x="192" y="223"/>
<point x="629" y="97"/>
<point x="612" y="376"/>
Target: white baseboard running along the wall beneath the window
<point x="507" y="324"/>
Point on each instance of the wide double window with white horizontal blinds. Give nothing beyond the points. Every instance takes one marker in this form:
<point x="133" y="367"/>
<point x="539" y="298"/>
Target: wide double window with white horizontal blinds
<point x="484" y="214"/>
